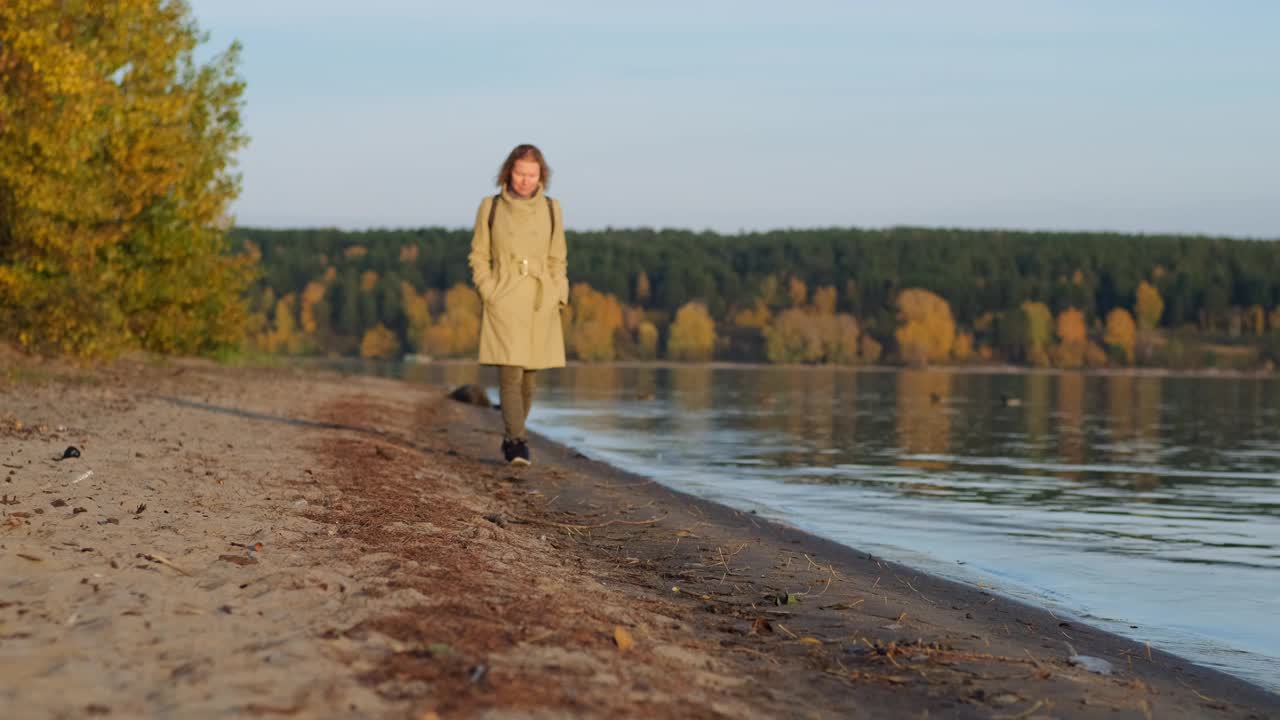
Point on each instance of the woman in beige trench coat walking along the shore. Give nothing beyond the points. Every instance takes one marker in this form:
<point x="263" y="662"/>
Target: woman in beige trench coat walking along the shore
<point x="519" y="267"/>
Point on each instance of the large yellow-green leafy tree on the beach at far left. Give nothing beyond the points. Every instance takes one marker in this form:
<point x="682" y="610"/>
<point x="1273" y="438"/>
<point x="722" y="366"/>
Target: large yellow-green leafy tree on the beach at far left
<point x="116" y="180"/>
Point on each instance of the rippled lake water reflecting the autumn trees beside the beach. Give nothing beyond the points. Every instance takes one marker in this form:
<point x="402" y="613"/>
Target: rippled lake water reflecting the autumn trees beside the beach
<point x="1145" y="505"/>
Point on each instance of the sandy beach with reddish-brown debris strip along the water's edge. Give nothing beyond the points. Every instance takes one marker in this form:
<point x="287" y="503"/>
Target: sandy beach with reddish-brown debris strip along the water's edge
<point x="286" y="544"/>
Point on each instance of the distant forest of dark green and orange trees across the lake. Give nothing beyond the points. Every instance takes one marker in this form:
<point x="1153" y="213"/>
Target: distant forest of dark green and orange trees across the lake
<point x="817" y="297"/>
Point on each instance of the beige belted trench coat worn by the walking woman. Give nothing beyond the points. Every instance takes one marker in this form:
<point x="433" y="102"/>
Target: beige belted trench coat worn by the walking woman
<point x="520" y="272"/>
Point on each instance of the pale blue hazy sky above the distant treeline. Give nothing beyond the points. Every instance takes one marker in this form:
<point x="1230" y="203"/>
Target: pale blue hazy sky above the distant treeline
<point x="1073" y="115"/>
